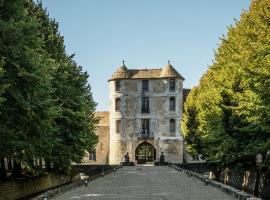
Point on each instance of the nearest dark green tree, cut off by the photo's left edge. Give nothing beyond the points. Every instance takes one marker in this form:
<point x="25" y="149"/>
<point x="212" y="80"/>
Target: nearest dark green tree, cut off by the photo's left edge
<point x="26" y="113"/>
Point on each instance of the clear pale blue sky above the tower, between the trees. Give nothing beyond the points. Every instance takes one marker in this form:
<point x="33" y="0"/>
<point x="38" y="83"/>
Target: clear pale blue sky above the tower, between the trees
<point x="144" y="33"/>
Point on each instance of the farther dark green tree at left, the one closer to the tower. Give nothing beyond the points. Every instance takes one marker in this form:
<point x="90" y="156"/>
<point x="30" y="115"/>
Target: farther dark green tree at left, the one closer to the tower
<point x="75" y="122"/>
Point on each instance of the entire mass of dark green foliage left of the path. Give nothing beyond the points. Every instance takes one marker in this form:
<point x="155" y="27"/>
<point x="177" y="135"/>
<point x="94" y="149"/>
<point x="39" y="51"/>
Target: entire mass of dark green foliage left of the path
<point x="46" y="106"/>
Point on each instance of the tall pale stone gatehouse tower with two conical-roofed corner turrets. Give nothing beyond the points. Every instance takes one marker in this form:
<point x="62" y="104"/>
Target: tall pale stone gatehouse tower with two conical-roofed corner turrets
<point x="145" y="107"/>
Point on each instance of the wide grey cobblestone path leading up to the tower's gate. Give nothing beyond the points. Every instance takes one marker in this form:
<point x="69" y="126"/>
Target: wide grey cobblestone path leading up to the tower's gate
<point x="151" y="183"/>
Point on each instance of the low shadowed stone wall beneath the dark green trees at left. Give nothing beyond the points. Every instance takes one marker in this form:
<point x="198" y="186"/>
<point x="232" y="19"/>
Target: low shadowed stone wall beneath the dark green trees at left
<point x="19" y="188"/>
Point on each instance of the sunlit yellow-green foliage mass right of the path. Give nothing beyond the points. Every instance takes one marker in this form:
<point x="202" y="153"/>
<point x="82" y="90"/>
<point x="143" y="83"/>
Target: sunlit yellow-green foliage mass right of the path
<point x="228" y="114"/>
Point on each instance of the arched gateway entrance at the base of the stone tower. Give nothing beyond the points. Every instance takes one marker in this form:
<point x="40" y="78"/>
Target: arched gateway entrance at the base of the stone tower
<point x="145" y="152"/>
